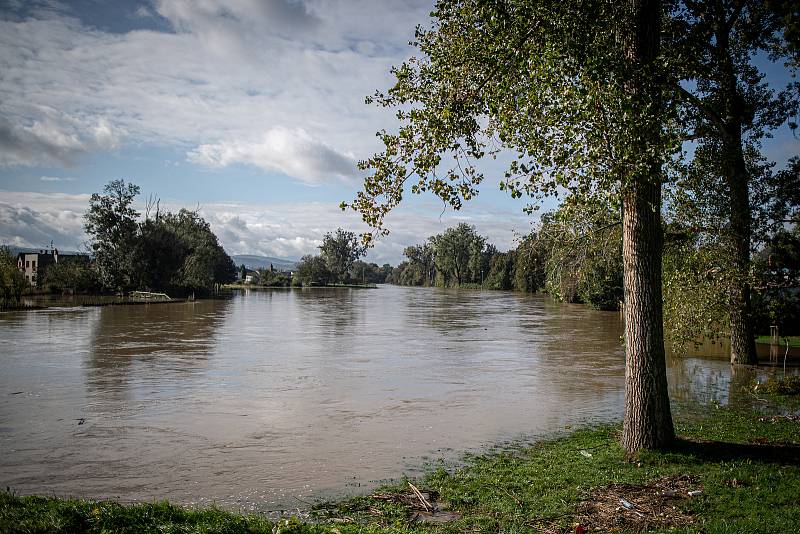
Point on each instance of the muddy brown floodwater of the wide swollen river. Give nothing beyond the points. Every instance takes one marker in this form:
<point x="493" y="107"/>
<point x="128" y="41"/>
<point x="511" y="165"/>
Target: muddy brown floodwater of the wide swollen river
<point x="270" y="399"/>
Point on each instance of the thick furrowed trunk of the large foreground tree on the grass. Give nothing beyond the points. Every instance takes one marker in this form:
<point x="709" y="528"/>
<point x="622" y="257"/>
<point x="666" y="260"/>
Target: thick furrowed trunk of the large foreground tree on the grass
<point x="648" y="420"/>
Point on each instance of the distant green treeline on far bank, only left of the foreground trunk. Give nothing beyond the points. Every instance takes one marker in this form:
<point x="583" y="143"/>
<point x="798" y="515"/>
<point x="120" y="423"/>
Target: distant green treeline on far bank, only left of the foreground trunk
<point x="556" y="259"/>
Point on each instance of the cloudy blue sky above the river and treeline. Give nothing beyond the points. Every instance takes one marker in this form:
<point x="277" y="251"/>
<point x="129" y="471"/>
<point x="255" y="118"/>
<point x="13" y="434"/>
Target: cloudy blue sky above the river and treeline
<point x="251" y="111"/>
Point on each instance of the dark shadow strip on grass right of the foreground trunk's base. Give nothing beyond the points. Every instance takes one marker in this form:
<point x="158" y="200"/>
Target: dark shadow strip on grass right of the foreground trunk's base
<point x="722" y="451"/>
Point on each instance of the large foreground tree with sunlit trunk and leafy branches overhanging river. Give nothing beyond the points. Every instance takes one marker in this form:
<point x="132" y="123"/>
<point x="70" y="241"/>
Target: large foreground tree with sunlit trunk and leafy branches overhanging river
<point x="574" y="91"/>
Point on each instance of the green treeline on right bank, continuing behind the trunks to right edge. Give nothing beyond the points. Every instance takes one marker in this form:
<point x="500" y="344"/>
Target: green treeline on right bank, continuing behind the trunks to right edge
<point x="575" y="255"/>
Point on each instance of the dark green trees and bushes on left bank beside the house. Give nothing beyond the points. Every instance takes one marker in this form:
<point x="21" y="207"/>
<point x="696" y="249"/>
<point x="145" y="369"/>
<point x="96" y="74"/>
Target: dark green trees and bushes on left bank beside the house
<point x="162" y="252"/>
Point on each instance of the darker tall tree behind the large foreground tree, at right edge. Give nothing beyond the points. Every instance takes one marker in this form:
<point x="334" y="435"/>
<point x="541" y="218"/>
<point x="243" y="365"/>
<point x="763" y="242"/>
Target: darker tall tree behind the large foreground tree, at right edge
<point x="728" y="109"/>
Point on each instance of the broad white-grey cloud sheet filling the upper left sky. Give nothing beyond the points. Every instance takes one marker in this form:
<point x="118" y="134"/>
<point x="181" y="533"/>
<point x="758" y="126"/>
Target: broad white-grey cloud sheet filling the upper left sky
<point x="229" y="71"/>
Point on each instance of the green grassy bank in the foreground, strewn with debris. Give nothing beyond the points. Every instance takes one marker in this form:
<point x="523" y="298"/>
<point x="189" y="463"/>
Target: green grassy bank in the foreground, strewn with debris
<point x="745" y="466"/>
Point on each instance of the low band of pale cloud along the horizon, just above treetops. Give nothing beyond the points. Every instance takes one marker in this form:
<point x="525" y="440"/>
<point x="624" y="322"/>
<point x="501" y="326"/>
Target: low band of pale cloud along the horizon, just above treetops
<point x="287" y="230"/>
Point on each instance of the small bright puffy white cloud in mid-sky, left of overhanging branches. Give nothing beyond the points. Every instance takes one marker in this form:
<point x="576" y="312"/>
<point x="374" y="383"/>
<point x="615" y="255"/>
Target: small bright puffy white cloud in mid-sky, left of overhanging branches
<point x="291" y="152"/>
